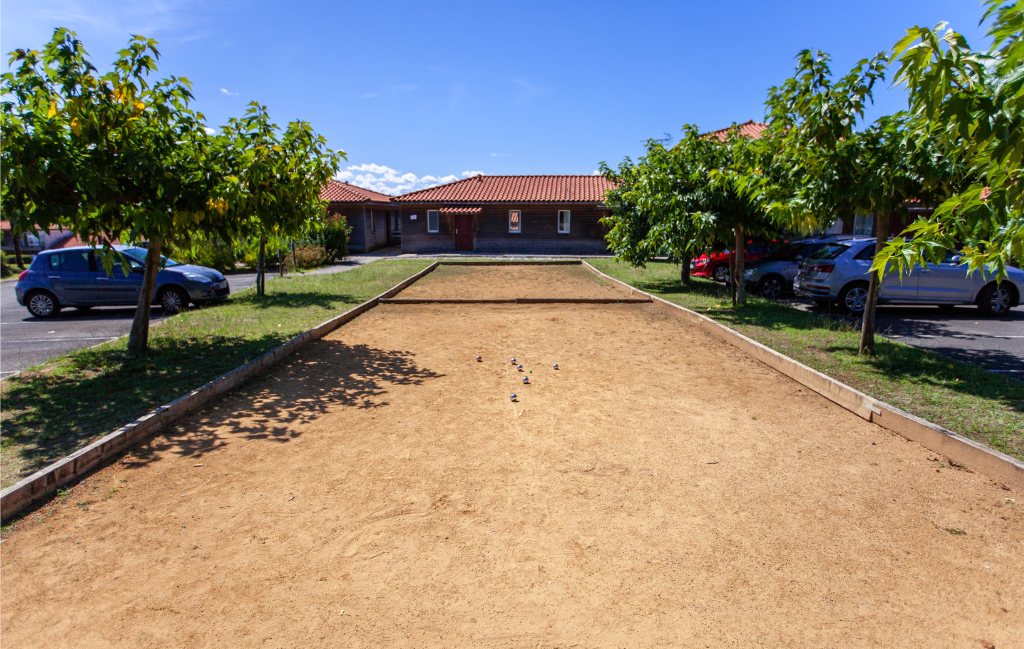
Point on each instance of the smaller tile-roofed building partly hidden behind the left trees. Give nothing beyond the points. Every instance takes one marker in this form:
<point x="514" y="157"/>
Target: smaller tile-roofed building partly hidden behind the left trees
<point x="374" y="219"/>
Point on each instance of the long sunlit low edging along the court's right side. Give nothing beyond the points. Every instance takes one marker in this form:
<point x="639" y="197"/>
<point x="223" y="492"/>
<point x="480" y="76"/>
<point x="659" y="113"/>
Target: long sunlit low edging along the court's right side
<point x="980" y="458"/>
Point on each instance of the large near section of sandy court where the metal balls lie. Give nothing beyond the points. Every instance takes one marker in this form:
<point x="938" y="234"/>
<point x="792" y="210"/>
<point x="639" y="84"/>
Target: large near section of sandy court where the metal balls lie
<point x="661" y="489"/>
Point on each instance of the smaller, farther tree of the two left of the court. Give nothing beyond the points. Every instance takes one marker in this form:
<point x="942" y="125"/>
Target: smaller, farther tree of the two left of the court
<point x="278" y="179"/>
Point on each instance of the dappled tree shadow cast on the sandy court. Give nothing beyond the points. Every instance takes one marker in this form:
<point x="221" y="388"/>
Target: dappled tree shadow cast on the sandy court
<point x="326" y="376"/>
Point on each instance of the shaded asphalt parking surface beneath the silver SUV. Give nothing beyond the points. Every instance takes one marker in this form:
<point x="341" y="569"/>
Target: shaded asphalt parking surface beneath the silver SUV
<point x="995" y="344"/>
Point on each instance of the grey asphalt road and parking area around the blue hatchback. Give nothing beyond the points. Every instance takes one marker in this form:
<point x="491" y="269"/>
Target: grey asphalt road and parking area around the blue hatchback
<point x="27" y="341"/>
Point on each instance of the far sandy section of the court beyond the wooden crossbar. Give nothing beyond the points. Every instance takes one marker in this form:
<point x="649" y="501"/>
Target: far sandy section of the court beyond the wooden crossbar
<point x="490" y="283"/>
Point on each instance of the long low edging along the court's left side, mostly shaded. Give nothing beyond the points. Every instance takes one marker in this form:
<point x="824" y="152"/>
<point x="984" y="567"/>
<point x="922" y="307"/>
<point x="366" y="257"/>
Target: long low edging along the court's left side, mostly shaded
<point x="21" y="495"/>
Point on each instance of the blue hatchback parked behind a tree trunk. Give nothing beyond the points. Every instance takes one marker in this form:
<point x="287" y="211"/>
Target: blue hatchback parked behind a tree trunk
<point x="75" y="277"/>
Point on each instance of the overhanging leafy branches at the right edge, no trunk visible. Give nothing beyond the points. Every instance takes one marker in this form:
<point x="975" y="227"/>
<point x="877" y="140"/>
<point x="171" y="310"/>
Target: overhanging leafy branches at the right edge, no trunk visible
<point x="973" y="104"/>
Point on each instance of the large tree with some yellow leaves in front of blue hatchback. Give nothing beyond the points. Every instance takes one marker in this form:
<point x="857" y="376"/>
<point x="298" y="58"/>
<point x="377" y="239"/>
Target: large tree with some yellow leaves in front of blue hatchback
<point x="110" y="157"/>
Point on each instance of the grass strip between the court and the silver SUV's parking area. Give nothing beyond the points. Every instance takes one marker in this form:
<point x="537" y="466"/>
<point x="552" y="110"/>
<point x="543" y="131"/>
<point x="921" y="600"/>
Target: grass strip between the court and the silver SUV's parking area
<point x="979" y="405"/>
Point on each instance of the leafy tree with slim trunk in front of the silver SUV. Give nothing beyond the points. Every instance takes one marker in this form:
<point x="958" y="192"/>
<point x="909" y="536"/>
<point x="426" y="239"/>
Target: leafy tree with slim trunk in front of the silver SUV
<point x="815" y="165"/>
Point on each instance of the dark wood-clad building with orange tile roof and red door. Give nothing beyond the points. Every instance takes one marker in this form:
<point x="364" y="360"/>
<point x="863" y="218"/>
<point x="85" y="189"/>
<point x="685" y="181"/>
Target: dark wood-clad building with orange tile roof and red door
<point x="507" y="214"/>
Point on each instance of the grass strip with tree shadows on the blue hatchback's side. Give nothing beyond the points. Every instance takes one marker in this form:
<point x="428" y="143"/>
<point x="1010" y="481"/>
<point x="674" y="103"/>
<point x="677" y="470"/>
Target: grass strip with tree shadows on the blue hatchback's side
<point x="56" y="409"/>
